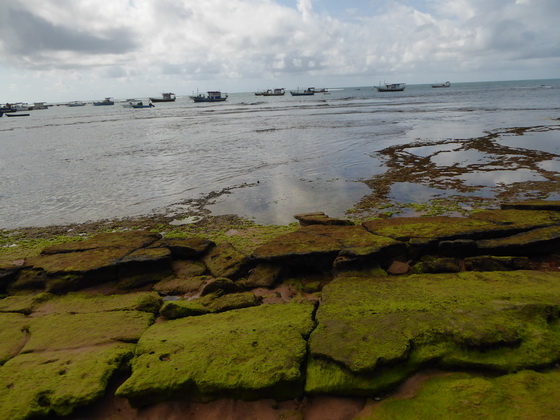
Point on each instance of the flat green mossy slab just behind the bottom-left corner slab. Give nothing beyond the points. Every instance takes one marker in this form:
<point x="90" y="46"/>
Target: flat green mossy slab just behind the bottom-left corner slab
<point x="70" y="331"/>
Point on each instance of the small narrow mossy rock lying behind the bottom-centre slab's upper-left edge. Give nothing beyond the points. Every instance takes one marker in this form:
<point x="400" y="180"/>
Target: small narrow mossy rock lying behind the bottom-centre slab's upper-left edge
<point x="211" y="303"/>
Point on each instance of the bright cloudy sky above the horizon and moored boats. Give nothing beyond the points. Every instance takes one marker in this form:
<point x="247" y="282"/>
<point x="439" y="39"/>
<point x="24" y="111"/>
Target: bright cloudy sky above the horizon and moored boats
<point x="63" y="50"/>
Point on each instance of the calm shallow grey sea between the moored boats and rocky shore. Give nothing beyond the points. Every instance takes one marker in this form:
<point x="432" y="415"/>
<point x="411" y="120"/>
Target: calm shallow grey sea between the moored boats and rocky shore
<point x="297" y="154"/>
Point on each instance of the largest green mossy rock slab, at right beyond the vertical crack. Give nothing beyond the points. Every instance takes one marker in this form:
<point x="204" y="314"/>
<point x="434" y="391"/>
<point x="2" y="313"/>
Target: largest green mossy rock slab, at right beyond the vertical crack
<point x="373" y="333"/>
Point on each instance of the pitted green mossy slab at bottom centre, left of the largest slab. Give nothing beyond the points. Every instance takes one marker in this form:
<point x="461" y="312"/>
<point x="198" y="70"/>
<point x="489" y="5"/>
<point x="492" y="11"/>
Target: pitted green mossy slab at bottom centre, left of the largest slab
<point x="246" y="353"/>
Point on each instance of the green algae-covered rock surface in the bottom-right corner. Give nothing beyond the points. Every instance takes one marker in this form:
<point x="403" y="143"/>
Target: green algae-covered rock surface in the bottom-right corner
<point x="463" y="396"/>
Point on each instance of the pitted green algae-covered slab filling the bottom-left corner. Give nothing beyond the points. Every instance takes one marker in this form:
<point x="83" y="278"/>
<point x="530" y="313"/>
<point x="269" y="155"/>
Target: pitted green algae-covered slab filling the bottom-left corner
<point x="38" y="384"/>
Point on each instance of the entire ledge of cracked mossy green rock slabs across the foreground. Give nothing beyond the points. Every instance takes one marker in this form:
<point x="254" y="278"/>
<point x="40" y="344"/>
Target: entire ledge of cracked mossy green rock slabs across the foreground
<point x="328" y="307"/>
